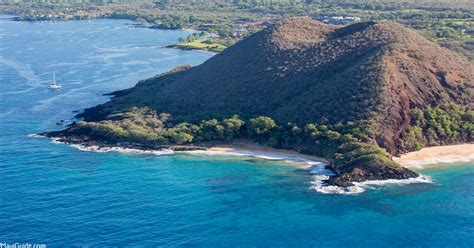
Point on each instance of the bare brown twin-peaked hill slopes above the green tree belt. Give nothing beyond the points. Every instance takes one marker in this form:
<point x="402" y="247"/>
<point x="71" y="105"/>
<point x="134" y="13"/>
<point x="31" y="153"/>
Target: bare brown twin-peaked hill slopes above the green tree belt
<point x="304" y="71"/>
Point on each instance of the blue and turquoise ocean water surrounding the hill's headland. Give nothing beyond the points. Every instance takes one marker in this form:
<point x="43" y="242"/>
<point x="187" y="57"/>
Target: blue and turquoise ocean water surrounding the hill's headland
<point x="60" y="196"/>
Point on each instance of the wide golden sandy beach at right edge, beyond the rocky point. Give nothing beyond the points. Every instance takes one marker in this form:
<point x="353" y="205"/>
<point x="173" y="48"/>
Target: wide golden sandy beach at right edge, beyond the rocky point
<point x="438" y="155"/>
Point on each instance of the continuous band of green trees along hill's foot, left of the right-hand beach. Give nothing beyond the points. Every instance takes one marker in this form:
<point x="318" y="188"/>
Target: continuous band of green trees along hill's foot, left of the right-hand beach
<point x="344" y="143"/>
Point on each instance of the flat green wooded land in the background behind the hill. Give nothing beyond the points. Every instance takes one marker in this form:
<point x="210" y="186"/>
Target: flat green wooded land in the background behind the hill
<point x="450" y="23"/>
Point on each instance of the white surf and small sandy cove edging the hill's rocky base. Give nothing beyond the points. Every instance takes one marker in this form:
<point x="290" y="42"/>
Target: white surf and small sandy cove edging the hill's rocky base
<point x="318" y="168"/>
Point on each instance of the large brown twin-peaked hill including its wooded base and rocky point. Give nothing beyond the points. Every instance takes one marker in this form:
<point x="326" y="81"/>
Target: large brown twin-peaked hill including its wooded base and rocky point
<point x="339" y="92"/>
